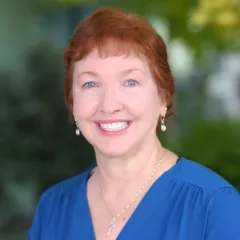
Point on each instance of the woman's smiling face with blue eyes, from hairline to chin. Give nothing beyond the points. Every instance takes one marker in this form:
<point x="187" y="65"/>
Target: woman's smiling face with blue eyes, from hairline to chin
<point x="115" y="103"/>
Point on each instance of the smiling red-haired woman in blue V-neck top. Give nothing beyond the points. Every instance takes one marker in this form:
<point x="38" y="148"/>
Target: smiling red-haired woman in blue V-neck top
<point x="119" y="88"/>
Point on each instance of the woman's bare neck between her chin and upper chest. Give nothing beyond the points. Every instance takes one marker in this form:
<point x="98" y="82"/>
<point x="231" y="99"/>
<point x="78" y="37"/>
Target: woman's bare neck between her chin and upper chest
<point x="129" y="171"/>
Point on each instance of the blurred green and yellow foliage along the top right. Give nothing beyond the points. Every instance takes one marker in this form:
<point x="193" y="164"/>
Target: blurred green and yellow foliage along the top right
<point x="203" y="24"/>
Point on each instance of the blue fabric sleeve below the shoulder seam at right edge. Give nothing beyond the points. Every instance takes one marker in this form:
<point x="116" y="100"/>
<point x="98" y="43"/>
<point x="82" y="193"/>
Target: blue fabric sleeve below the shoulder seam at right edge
<point x="223" y="215"/>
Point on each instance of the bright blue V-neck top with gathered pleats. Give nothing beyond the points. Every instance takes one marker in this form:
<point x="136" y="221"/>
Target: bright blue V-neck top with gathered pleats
<point x="188" y="202"/>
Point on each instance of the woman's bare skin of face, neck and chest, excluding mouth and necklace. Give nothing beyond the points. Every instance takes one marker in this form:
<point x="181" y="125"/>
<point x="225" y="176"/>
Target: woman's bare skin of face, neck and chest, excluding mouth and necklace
<point x="113" y="89"/>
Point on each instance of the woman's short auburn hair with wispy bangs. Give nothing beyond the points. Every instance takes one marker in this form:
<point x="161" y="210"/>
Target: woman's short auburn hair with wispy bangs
<point x="114" y="33"/>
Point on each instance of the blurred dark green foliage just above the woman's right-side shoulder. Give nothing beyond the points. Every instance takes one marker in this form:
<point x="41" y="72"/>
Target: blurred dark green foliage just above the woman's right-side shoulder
<point x="214" y="144"/>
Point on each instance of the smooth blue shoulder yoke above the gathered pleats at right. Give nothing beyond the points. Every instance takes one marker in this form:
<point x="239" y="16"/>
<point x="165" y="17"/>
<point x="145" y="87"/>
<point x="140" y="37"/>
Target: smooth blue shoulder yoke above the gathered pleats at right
<point x="193" y="173"/>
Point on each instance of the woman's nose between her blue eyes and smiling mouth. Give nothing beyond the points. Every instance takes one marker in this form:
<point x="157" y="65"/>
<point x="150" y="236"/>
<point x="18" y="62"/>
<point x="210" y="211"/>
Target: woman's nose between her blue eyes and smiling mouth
<point x="110" y="101"/>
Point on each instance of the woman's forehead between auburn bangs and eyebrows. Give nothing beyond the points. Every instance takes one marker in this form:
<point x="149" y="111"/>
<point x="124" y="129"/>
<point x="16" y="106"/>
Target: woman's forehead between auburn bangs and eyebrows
<point x="111" y="64"/>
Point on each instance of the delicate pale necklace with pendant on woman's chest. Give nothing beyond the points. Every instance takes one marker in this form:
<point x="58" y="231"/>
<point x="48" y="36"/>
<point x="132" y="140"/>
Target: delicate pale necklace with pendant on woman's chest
<point x="142" y="189"/>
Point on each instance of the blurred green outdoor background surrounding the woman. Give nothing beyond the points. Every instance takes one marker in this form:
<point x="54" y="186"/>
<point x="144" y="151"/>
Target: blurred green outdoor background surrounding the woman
<point x="38" y="146"/>
